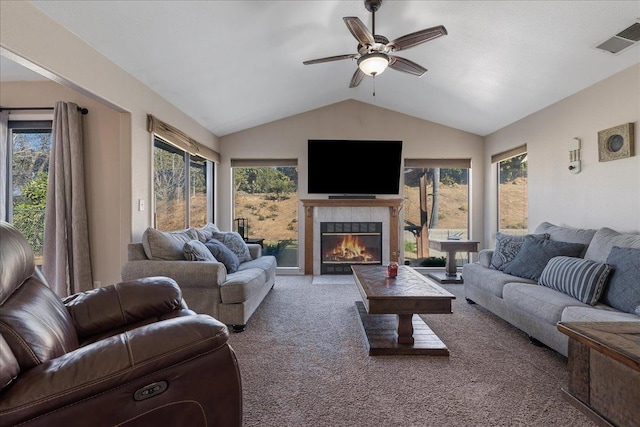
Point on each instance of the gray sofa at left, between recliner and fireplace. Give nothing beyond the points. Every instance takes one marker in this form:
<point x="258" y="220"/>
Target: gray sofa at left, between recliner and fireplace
<point x="207" y="286"/>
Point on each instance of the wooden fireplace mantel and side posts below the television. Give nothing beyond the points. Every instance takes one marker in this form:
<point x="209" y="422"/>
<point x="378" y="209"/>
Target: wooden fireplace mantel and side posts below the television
<point x="310" y="206"/>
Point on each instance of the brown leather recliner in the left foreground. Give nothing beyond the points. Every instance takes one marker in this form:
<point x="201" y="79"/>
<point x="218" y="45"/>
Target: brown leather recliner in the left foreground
<point x="131" y="354"/>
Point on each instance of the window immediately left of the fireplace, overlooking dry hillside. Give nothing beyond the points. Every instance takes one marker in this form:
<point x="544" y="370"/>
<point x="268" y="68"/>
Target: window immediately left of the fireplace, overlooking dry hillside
<point x="265" y="193"/>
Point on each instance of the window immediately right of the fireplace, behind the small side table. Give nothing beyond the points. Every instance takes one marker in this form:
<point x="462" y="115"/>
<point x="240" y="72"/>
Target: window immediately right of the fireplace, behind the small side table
<point x="436" y="205"/>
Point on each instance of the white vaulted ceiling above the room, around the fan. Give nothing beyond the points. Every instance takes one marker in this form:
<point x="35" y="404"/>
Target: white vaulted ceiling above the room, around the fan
<point x="232" y="65"/>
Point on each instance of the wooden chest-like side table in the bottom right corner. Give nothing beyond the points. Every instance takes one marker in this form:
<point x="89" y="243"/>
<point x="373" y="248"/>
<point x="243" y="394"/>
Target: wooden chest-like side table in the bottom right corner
<point x="604" y="371"/>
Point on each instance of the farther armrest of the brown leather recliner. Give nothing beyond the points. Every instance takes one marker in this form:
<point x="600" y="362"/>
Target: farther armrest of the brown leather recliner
<point x="103" y="309"/>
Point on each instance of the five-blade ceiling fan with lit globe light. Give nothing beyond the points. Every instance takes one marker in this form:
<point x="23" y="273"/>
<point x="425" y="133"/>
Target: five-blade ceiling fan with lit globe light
<point x="375" y="52"/>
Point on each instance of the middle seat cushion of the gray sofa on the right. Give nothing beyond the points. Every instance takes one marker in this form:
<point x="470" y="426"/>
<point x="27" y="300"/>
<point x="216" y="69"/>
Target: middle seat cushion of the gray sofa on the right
<point x="539" y="301"/>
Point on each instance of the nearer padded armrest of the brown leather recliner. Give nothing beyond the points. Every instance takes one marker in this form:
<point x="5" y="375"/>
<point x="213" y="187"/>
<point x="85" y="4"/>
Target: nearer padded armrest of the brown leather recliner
<point x="107" y="364"/>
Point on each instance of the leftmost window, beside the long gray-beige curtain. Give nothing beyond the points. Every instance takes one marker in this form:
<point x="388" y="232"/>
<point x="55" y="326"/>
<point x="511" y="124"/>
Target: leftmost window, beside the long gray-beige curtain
<point x="29" y="145"/>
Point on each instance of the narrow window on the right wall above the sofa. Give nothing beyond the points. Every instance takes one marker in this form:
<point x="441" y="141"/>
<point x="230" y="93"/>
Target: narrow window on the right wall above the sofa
<point x="512" y="191"/>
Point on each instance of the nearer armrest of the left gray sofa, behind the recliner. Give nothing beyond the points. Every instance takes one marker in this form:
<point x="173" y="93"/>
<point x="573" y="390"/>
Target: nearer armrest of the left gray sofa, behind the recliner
<point x="188" y="274"/>
